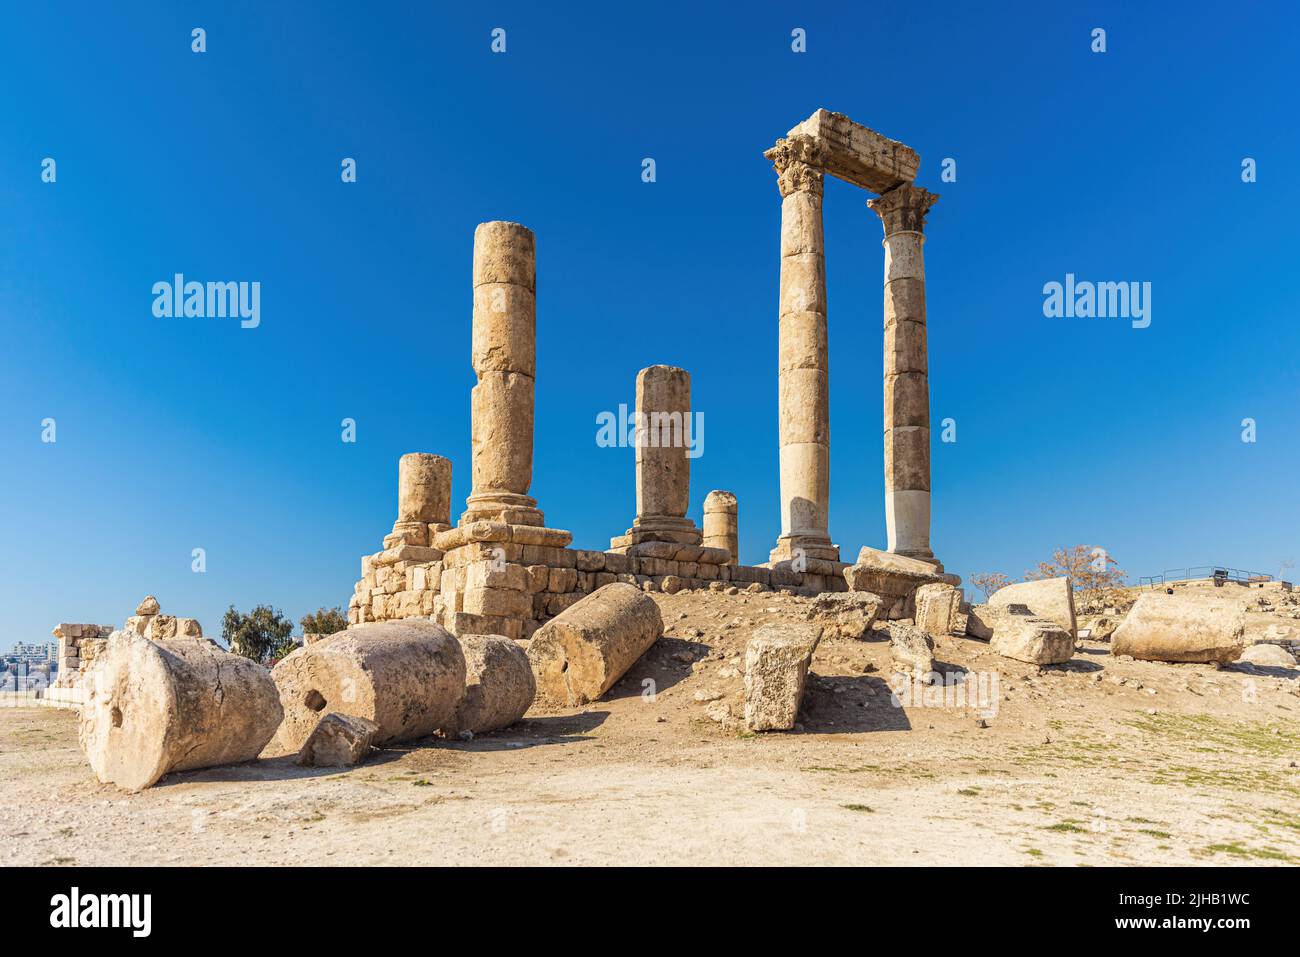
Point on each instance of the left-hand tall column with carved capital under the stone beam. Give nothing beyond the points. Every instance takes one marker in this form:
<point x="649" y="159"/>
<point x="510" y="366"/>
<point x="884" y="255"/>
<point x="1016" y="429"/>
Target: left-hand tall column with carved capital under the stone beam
<point x="804" y="373"/>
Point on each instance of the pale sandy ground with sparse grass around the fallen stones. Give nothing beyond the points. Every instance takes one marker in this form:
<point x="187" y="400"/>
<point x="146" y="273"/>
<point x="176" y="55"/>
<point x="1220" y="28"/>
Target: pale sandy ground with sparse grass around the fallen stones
<point x="1097" y="763"/>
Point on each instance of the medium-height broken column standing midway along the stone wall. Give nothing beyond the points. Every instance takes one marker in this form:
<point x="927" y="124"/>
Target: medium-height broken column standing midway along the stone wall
<point x="664" y="427"/>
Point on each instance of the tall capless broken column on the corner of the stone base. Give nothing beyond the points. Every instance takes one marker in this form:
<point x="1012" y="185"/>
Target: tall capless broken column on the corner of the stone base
<point x="505" y="360"/>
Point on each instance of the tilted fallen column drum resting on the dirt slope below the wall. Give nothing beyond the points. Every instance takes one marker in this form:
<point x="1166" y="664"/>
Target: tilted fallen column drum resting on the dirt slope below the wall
<point x="580" y="653"/>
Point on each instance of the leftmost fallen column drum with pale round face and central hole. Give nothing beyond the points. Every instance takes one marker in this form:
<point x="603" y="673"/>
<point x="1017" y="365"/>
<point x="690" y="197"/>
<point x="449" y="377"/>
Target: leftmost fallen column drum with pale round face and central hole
<point x="161" y="707"/>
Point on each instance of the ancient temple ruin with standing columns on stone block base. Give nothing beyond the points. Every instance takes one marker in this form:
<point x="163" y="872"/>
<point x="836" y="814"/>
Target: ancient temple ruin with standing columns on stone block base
<point x="502" y="571"/>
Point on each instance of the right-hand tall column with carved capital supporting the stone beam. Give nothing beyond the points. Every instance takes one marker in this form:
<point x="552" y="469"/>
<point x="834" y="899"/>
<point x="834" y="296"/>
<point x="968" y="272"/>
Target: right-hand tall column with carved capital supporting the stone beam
<point x="907" y="371"/>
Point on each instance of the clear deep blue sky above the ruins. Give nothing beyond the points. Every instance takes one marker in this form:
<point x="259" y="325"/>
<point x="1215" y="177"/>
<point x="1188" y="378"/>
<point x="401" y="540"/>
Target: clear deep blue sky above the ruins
<point x="183" y="434"/>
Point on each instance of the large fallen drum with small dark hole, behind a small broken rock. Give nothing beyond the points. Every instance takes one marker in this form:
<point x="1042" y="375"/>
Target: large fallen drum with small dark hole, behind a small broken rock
<point x="406" y="677"/>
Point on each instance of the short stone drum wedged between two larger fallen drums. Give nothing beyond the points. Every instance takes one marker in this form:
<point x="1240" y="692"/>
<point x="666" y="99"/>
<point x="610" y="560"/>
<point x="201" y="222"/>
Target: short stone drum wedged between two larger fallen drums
<point x="500" y="685"/>
